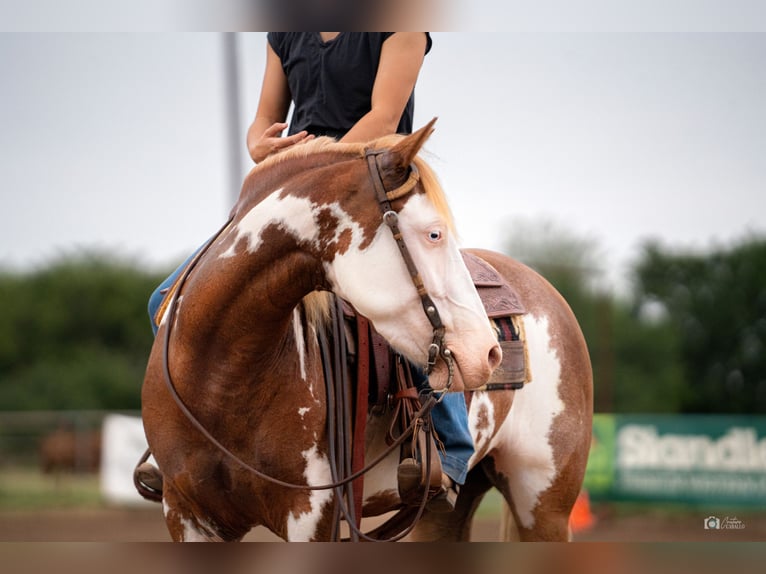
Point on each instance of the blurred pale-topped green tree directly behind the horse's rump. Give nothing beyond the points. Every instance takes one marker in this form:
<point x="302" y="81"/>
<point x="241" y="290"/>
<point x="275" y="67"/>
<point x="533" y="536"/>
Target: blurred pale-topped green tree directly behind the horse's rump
<point x="635" y="359"/>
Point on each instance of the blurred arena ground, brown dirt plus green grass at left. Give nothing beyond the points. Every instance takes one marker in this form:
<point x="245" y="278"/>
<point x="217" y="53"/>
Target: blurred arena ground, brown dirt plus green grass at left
<point x="68" y="508"/>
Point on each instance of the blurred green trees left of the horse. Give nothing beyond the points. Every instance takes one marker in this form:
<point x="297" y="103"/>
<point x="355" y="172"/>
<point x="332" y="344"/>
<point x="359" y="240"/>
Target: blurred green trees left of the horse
<point x="74" y="335"/>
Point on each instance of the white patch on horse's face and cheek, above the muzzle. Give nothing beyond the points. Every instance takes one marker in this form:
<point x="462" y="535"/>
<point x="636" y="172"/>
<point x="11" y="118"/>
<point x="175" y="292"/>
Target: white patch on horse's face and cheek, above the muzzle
<point x="376" y="281"/>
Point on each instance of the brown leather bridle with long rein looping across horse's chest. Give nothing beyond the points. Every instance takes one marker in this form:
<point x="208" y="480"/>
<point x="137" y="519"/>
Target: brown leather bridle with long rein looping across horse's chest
<point x="436" y="348"/>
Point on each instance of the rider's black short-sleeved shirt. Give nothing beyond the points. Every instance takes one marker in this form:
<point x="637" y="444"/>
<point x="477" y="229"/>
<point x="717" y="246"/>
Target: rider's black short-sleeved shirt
<point x="331" y="82"/>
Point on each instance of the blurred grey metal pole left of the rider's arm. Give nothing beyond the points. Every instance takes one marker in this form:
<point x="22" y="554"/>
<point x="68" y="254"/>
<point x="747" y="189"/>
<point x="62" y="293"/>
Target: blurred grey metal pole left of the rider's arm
<point x="234" y="135"/>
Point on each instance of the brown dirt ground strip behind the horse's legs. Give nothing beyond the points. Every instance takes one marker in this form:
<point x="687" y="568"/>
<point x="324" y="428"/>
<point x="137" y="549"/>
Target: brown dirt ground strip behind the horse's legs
<point x="146" y="525"/>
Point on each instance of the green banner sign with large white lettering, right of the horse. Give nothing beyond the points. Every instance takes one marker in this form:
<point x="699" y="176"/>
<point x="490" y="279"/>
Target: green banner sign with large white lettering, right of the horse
<point x="685" y="458"/>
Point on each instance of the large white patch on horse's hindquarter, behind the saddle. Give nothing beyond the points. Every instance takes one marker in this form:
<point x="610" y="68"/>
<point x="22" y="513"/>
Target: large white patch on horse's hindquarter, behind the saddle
<point x="524" y="436"/>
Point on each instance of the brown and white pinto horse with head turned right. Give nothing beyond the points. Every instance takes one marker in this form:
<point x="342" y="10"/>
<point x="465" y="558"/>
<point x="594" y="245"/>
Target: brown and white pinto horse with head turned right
<point x="240" y="345"/>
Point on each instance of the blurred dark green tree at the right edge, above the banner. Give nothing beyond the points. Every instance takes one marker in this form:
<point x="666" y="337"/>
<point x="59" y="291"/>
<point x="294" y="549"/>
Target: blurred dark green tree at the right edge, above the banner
<point x="716" y="302"/>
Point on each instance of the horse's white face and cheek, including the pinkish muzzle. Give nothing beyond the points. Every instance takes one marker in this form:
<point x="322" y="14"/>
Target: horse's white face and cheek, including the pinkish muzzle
<point x="396" y="311"/>
